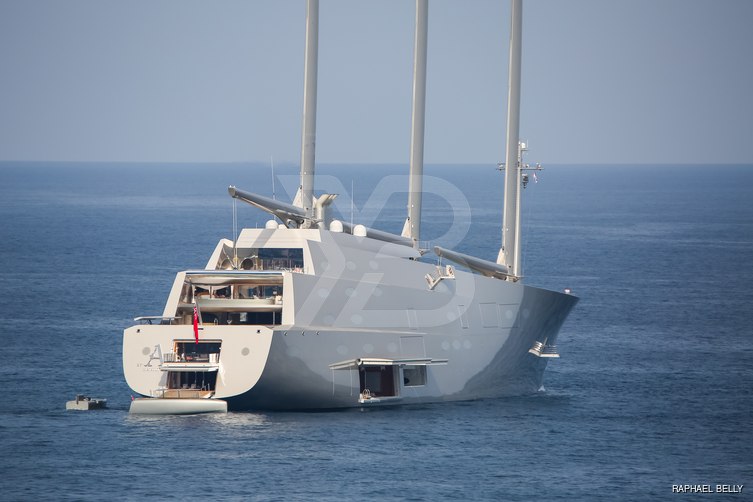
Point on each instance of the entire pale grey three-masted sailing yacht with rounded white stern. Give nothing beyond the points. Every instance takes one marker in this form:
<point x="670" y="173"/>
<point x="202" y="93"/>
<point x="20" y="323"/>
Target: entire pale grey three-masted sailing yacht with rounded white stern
<point x="312" y="312"/>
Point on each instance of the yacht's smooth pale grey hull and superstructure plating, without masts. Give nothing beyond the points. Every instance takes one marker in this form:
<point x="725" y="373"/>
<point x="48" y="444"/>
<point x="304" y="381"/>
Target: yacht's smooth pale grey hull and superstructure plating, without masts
<point x="363" y="318"/>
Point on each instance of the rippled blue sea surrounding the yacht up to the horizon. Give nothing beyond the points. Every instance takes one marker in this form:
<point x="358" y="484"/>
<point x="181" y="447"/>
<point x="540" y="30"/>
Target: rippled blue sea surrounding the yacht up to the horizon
<point x="654" y="387"/>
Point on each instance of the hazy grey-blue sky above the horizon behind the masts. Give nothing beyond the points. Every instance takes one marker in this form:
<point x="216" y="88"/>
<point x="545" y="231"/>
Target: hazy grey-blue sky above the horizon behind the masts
<point x="623" y="81"/>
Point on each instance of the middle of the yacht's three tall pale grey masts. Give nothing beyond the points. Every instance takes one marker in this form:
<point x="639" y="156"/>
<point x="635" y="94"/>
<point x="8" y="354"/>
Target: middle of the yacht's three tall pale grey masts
<point x="412" y="226"/>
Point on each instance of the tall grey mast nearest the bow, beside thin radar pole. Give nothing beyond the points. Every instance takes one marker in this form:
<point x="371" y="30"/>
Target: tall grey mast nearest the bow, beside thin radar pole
<point x="509" y="255"/>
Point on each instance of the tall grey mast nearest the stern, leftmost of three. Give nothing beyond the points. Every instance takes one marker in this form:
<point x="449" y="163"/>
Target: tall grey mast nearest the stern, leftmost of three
<point x="308" y="134"/>
